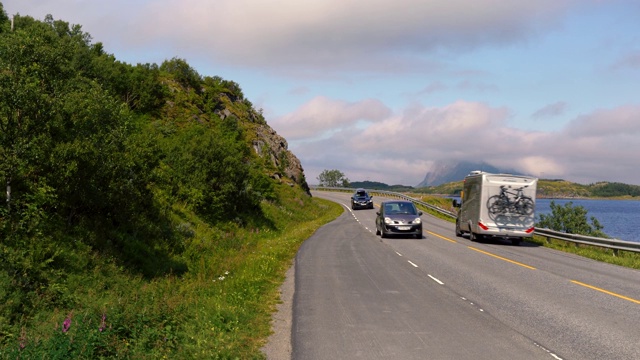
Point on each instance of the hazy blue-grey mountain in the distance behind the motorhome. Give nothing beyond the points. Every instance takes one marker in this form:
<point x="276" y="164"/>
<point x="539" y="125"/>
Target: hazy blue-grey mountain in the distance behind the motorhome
<point x="445" y="172"/>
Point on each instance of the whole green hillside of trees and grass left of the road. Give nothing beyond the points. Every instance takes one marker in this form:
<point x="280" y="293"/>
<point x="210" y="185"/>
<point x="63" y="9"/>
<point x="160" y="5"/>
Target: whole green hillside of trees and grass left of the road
<point x="138" y="220"/>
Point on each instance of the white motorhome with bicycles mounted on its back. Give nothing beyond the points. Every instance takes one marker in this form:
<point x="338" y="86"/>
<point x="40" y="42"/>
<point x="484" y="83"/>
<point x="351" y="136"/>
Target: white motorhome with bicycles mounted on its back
<point x="497" y="205"/>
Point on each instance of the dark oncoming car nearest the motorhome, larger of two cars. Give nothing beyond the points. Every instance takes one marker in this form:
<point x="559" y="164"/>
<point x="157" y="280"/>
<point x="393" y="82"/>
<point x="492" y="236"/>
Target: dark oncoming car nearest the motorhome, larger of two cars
<point x="399" y="217"/>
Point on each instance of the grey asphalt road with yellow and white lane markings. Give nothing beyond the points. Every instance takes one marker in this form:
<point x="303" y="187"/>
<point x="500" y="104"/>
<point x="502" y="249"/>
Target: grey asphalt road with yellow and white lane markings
<point x="358" y="296"/>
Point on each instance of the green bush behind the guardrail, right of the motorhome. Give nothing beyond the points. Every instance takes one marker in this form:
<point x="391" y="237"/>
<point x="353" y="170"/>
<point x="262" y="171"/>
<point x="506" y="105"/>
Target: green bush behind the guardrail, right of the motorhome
<point x="570" y="219"/>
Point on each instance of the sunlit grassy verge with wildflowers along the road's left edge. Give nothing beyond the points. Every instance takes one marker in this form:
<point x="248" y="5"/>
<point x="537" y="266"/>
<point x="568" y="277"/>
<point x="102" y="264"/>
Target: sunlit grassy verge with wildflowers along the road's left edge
<point x="219" y="308"/>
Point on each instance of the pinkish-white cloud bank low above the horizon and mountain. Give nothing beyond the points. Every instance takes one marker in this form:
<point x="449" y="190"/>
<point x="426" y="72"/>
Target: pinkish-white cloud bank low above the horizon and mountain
<point x="402" y="147"/>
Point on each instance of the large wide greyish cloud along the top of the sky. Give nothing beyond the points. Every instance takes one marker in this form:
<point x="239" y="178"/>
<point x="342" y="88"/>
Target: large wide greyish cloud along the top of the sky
<point x="344" y="34"/>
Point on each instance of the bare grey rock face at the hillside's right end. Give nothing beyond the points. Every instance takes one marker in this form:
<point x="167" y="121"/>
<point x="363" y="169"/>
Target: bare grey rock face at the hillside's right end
<point x="274" y="147"/>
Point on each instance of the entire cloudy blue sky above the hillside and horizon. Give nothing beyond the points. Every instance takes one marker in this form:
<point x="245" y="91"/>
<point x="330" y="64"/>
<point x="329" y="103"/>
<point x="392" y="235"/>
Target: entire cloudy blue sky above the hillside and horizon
<point x="385" y="90"/>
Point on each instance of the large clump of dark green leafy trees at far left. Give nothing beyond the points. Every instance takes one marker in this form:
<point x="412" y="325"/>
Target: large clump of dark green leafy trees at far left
<point x="71" y="157"/>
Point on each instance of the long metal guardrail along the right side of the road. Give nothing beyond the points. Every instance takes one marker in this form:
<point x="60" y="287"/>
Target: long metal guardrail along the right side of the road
<point x="613" y="244"/>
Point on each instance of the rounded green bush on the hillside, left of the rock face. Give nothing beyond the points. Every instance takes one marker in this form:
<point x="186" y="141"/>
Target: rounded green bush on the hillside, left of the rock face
<point x="206" y="168"/>
